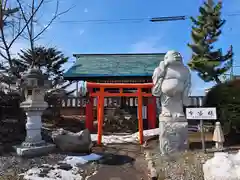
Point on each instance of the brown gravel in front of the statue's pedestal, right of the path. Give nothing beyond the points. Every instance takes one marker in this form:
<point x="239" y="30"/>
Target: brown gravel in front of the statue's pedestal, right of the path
<point x="179" y="166"/>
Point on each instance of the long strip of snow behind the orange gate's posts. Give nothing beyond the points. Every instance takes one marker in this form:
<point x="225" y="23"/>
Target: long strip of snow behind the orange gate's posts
<point x="130" y="138"/>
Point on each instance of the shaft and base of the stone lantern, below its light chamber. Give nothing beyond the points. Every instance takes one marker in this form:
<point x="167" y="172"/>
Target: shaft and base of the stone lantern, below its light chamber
<point x="34" y="144"/>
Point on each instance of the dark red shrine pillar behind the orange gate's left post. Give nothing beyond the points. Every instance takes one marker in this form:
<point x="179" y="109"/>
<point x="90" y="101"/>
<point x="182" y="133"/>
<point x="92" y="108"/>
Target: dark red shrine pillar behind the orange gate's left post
<point x="89" y="112"/>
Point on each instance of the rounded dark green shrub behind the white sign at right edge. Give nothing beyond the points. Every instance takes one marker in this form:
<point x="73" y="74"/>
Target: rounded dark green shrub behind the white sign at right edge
<point x="226" y="98"/>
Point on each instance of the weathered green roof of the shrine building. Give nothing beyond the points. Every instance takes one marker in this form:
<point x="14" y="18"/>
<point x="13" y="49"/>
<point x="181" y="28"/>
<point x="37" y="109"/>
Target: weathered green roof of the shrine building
<point x="112" y="65"/>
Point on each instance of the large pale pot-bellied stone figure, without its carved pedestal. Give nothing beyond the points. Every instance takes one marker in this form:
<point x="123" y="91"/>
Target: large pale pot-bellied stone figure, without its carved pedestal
<point x="172" y="82"/>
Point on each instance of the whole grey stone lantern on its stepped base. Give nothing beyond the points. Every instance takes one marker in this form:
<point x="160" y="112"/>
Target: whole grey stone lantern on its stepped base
<point x="34" y="85"/>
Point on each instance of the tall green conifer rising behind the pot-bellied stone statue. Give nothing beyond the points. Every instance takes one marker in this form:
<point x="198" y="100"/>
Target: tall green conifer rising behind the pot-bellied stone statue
<point x="209" y="63"/>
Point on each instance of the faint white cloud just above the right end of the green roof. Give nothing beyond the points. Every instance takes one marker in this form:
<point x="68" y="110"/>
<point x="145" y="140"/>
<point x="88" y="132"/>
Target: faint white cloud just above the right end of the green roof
<point x="149" y="45"/>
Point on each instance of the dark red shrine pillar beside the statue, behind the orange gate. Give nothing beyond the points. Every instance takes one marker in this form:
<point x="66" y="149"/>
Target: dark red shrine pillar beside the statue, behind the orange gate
<point x="152" y="112"/>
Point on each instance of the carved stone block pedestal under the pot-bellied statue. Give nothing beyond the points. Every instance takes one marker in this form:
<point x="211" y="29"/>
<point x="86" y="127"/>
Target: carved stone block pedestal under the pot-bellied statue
<point x="173" y="136"/>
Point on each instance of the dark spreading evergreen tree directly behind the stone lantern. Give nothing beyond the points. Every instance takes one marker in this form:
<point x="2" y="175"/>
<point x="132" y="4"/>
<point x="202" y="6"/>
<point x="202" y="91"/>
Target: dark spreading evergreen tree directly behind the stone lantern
<point x="51" y="62"/>
